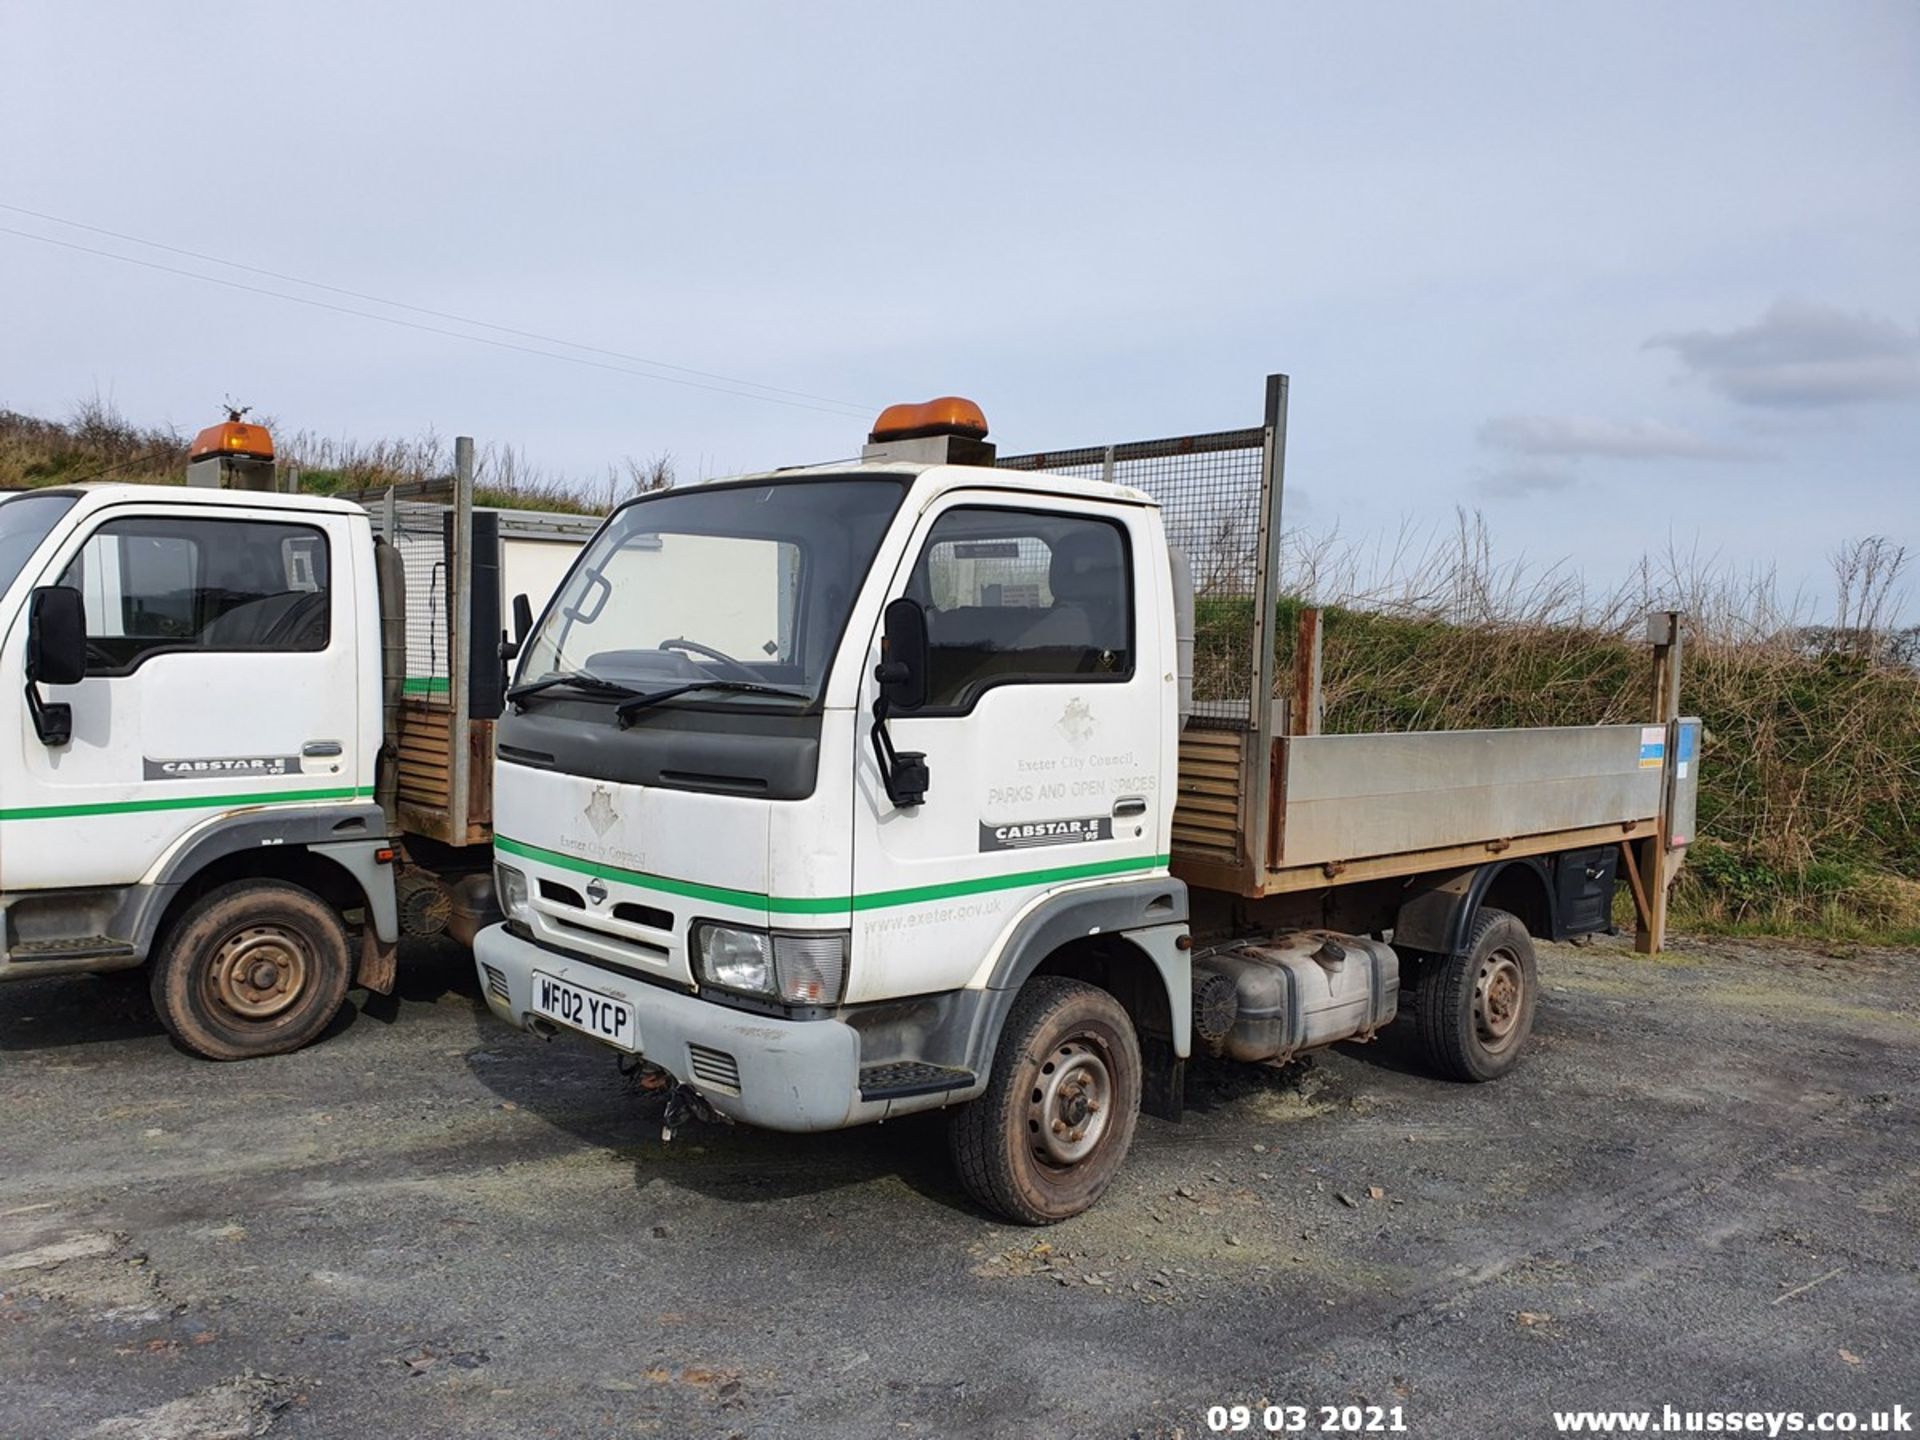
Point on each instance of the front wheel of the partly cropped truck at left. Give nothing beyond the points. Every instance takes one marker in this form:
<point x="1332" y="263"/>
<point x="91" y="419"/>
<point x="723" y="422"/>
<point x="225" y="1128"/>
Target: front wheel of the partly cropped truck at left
<point x="252" y="969"/>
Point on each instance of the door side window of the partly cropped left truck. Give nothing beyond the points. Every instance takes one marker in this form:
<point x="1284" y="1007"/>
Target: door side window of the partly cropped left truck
<point x="160" y="585"/>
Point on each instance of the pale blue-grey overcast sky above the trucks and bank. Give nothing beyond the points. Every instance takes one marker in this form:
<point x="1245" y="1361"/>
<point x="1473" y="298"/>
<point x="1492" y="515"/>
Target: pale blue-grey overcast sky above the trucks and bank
<point x="1621" y="277"/>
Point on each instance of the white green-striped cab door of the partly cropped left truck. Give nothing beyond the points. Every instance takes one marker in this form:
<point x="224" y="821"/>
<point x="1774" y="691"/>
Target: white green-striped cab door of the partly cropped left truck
<point x="222" y="677"/>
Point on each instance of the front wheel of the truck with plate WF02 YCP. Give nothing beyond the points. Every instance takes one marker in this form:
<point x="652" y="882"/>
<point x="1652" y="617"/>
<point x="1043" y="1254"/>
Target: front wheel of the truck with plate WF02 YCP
<point x="1061" y="1109"/>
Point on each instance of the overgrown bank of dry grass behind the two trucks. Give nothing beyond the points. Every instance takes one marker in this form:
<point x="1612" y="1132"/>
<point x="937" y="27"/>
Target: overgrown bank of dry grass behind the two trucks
<point x="1812" y="767"/>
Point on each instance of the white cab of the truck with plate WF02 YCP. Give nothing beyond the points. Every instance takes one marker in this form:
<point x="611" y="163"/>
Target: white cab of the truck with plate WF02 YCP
<point x="706" y="848"/>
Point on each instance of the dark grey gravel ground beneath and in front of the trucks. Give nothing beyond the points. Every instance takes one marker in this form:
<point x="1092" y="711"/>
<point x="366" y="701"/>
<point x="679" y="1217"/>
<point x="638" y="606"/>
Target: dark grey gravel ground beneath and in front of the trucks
<point x="1700" y="1189"/>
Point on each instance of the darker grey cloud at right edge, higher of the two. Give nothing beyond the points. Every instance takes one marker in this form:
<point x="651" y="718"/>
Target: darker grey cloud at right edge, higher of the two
<point x="1804" y="356"/>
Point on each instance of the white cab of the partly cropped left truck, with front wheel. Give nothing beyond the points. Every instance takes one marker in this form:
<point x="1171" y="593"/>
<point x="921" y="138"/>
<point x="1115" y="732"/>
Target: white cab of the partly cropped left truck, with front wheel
<point x="201" y="686"/>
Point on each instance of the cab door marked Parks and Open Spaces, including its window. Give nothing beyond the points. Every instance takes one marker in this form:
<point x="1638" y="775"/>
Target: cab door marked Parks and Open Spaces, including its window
<point x="1044" y="727"/>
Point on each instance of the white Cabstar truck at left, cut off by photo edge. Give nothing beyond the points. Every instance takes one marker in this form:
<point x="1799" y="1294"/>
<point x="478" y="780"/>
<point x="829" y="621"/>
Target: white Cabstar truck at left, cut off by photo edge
<point x="247" y="729"/>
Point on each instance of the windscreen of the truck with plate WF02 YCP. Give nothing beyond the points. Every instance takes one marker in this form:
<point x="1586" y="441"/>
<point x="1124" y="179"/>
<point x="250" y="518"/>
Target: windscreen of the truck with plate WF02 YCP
<point x="746" y="583"/>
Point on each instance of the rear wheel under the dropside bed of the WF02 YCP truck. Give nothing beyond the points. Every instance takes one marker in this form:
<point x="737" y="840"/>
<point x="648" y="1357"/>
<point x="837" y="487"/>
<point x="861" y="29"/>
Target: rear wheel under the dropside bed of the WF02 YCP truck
<point x="1477" y="1009"/>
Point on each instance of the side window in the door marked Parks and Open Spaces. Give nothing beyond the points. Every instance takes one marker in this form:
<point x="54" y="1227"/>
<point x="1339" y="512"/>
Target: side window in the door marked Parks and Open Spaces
<point x="1022" y="596"/>
